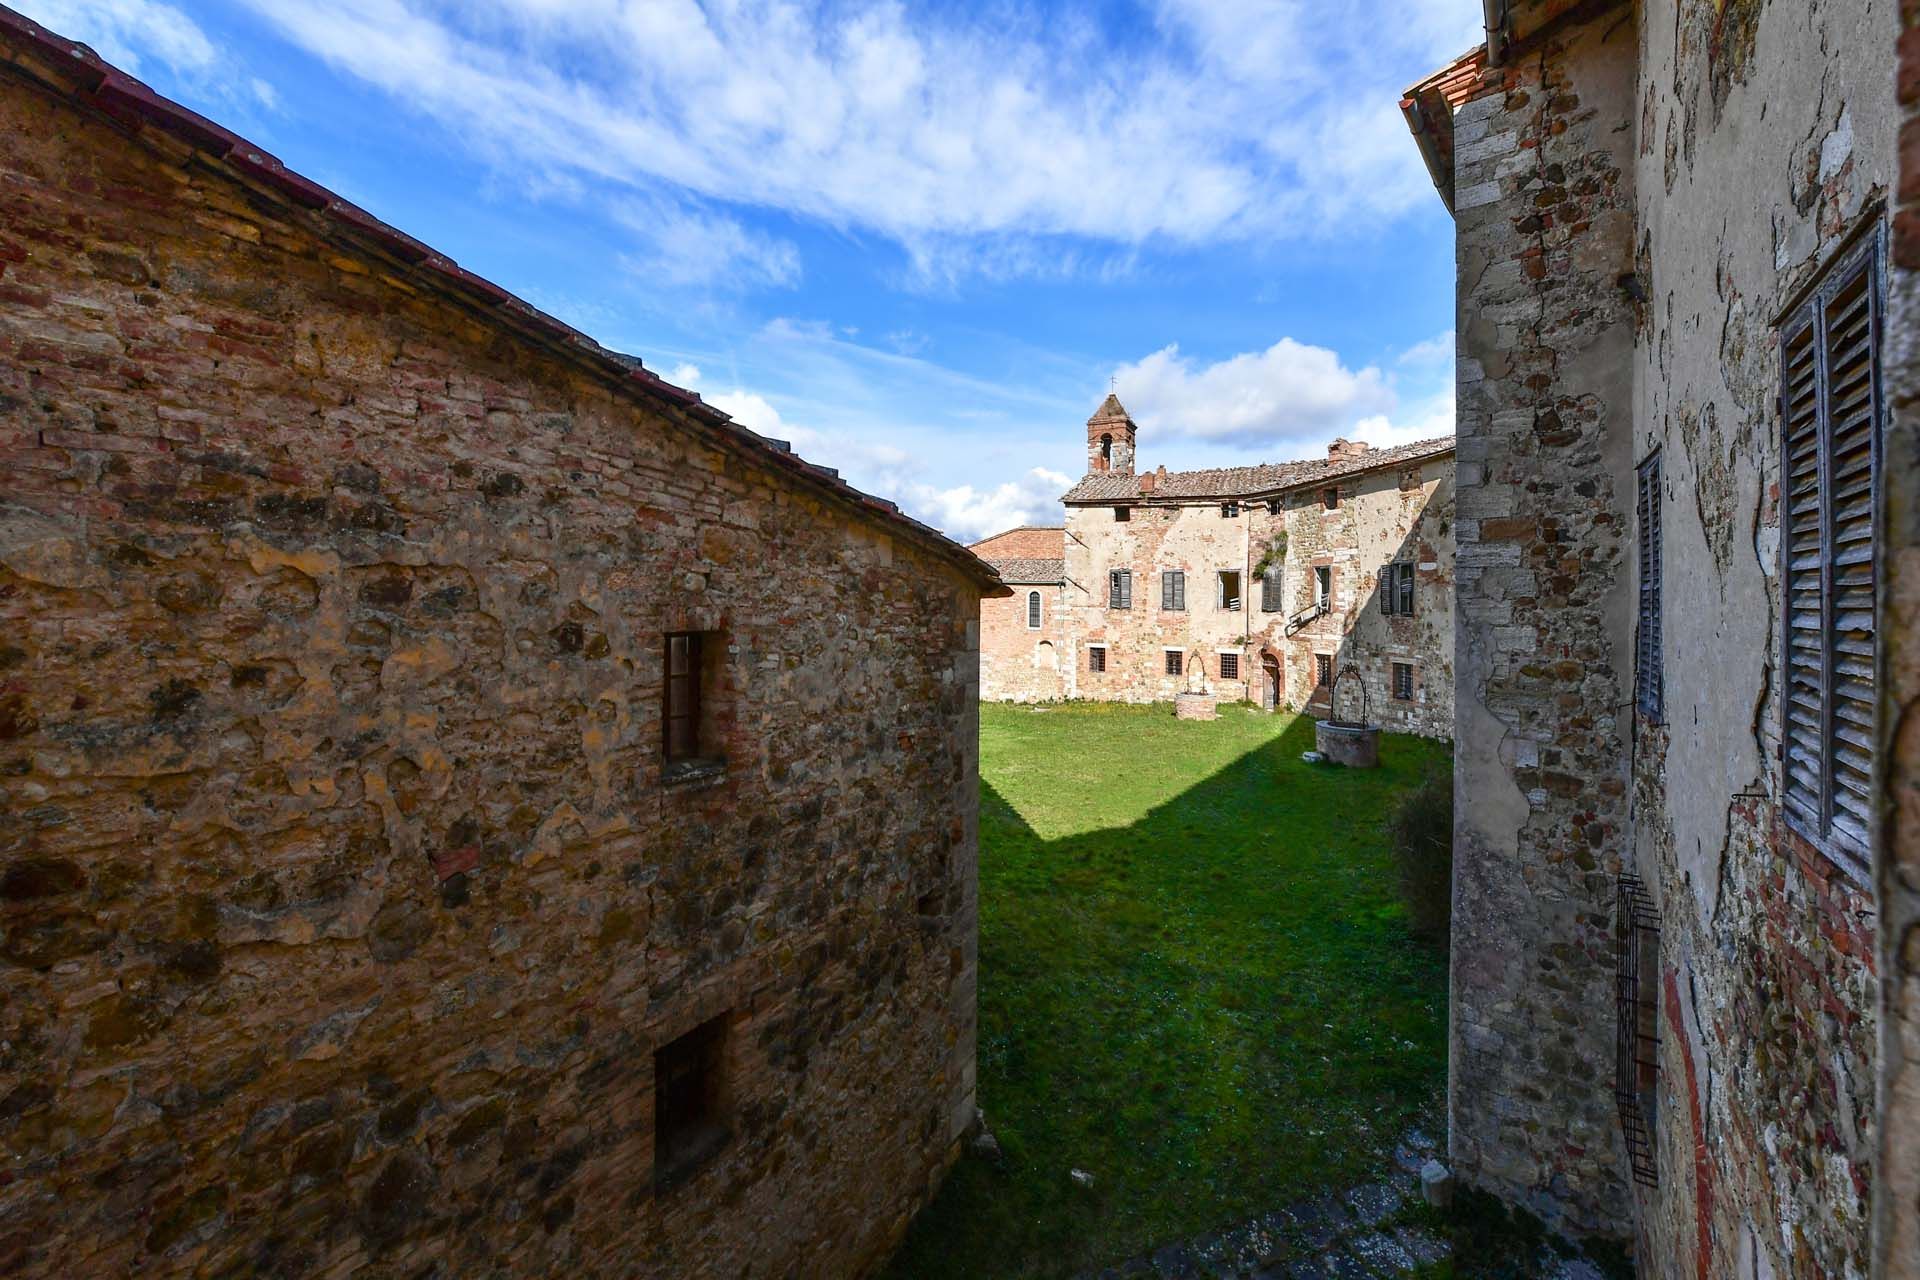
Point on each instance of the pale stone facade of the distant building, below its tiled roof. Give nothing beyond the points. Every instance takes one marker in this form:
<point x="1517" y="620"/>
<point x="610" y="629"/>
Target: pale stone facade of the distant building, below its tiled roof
<point x="1383" y="515"/>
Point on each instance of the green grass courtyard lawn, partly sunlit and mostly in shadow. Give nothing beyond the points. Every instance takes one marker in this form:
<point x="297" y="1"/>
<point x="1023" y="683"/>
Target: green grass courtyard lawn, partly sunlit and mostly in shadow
<point x="1195" y="984"/>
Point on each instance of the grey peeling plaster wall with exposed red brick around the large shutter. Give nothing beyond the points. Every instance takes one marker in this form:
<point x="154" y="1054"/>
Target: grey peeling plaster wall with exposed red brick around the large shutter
<point x="1765" y="137"/>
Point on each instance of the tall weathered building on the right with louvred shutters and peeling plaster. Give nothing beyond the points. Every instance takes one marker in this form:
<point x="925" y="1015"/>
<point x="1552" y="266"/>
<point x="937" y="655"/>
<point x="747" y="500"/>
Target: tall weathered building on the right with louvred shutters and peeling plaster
<point x="1669" y="769"/>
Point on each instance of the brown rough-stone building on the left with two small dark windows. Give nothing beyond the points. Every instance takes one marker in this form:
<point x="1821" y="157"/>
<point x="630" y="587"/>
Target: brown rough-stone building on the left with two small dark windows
<point x="446" y="826"/>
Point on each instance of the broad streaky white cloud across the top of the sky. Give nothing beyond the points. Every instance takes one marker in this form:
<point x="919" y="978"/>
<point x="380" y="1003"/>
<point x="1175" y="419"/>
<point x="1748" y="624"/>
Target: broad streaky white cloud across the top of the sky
<point x="988" y="141"/>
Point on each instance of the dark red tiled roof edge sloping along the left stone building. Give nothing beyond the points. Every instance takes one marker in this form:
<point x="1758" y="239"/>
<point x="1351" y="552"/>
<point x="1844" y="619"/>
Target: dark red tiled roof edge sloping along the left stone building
<point x="108" y="89"/>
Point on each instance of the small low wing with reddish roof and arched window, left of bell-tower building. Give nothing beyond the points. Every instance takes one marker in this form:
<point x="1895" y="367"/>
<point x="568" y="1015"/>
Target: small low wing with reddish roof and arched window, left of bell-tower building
<point x="1022" y="640"/>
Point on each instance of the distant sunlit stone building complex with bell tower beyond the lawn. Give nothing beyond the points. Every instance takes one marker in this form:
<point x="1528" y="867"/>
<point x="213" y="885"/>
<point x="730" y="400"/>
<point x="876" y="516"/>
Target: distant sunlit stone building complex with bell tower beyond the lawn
<point x="1251" y="582"/>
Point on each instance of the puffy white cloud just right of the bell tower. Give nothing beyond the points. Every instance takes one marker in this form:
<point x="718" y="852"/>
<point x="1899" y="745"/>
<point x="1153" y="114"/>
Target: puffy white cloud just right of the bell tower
<point x="1289" y="394"/>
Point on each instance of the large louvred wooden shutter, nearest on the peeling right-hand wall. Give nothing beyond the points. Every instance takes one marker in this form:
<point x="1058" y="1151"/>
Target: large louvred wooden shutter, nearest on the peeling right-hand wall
<point x="1833" y="410"/>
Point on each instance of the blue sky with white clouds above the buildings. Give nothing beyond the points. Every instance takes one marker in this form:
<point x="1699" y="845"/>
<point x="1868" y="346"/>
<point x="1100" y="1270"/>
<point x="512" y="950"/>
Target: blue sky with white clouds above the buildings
<point x="919" y="241"/>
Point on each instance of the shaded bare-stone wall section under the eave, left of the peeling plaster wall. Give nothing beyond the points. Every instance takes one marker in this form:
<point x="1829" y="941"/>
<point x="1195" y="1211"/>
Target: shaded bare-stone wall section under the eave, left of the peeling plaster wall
<point x="1545" y="204"/>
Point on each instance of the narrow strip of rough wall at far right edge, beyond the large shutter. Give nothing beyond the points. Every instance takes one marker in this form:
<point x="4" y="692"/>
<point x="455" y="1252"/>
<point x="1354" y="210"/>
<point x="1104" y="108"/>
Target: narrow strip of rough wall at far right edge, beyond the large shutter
<point x="1898" y="1173"/>
